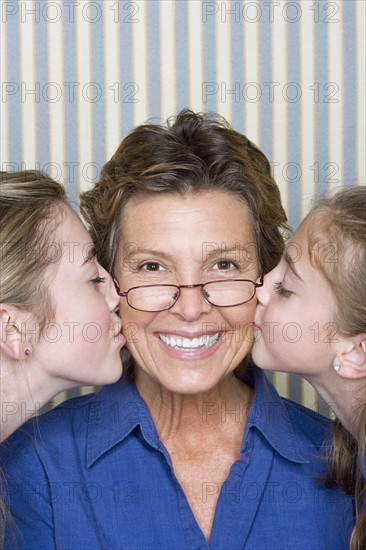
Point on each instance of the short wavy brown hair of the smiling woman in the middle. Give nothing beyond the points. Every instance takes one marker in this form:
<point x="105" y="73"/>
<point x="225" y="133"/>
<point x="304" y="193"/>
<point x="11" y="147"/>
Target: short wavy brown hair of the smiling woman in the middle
<point x="192" y="153"/>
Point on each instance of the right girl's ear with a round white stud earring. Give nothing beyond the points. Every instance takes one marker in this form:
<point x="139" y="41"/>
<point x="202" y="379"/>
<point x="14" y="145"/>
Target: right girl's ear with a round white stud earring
<point x="352" y="360"/>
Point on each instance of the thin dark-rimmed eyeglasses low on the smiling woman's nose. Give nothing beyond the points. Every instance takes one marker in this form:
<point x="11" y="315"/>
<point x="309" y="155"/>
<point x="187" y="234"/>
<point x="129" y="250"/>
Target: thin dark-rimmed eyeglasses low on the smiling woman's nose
<point x="224" y="293"/>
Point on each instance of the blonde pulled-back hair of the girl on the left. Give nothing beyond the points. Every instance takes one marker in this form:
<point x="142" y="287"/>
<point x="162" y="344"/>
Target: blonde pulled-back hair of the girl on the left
<point x="30" y="210"/>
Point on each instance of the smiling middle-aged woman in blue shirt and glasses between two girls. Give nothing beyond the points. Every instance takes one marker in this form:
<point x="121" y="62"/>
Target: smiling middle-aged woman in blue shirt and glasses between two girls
<point x="189" y="449"/>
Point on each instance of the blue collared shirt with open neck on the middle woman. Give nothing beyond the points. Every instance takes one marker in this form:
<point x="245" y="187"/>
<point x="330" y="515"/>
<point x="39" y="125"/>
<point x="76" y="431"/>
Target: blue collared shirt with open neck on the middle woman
<point x="93" y="474"/>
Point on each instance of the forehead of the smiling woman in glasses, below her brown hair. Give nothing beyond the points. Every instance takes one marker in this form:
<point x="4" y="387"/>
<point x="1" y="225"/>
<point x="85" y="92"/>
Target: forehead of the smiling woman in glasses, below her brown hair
<point x="199" y="226"/>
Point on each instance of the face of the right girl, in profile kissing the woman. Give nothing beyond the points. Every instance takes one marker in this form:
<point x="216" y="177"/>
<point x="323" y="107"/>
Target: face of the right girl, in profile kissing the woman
<point x="295" y="314"/>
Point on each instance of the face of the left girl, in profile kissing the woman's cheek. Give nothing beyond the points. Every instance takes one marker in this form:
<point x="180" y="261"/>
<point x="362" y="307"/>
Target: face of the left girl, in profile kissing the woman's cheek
<point x="82" y="343"/>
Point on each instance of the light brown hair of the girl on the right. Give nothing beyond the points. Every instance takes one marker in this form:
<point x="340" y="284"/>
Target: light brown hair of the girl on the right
<point x="337" y="247"/>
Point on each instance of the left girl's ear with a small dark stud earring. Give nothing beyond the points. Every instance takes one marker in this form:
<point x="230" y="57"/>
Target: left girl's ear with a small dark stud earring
<point x="12" y="339"/>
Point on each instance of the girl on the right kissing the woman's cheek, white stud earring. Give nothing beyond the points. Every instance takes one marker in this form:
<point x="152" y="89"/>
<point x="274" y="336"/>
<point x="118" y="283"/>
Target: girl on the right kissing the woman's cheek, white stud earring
<point x="319" y="286"/>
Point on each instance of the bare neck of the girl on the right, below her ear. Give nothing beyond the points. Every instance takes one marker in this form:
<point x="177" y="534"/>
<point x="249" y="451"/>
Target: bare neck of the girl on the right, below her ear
<point x="344" y="396"/>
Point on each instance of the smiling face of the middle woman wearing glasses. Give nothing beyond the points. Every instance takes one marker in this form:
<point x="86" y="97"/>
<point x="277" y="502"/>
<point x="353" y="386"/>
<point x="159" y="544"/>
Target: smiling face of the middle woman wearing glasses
<point x="169" y="239"/>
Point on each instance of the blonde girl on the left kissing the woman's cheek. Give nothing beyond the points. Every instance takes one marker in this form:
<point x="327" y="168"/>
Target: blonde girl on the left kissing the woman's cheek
<point x="57" y="304"/>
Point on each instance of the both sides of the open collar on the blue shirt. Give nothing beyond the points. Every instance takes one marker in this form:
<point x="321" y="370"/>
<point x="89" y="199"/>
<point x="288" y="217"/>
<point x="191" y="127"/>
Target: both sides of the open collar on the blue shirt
<point x="116" y="410"/>
